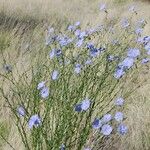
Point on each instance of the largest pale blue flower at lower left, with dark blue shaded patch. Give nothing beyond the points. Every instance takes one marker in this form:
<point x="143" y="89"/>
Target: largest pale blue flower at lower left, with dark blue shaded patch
<point x="34" y="121"/>
